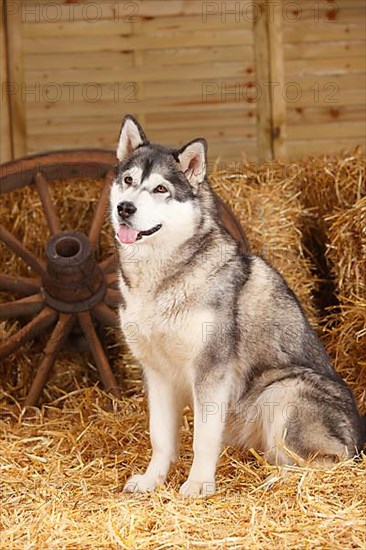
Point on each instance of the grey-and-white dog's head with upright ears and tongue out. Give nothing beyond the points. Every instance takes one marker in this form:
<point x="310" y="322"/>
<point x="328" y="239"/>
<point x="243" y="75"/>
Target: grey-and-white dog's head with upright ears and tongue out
<point x="154" y="195"/>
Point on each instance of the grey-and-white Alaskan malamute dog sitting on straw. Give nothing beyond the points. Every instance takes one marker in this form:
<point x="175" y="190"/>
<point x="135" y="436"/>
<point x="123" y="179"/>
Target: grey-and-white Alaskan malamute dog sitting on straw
<point x="215" y="328"/>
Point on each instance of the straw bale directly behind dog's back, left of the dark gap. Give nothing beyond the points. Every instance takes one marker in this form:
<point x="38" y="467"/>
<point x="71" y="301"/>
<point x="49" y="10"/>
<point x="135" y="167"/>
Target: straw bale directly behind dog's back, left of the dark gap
<point x="263" y="199"/>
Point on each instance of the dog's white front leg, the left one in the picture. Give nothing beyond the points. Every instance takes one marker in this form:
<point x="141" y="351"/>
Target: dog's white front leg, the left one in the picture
<point x="166" y="406"/>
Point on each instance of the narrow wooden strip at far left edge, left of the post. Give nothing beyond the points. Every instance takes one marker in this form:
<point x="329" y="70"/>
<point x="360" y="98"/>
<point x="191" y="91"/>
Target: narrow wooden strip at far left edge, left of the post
<point x="5" y="136"/>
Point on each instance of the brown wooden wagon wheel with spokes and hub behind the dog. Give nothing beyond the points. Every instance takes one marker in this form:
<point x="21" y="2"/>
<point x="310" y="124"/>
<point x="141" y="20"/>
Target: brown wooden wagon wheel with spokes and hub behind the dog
<point x="71" y="285"/>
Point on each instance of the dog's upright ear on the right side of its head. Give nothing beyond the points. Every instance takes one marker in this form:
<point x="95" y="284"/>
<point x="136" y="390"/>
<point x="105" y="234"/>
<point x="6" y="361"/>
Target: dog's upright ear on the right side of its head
<point x="193" y="160"/>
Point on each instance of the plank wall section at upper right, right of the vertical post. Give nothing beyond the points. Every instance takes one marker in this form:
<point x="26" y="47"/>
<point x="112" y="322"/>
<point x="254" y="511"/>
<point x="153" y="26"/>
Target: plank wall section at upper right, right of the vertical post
<point x="325" y="85"/>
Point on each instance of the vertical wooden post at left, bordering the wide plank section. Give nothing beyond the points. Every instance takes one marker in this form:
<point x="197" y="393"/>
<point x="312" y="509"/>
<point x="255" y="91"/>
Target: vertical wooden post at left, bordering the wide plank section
<point x="13" y="26"/>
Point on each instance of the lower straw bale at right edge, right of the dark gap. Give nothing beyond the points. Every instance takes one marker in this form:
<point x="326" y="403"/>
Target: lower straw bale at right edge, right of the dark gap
<point x="346" y="325"/>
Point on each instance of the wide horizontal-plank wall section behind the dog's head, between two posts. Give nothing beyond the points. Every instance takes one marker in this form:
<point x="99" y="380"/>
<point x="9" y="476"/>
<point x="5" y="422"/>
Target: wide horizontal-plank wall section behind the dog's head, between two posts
<point x="181" y="71"/>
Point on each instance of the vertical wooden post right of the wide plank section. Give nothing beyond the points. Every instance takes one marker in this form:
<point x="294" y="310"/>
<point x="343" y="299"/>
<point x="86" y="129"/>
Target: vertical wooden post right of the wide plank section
<point x="271" y="107"/>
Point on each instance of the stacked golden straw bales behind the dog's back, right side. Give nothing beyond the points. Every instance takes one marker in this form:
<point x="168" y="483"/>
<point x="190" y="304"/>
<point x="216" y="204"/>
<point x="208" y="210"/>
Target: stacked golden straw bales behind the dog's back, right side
<point x="309" y="220"/>
